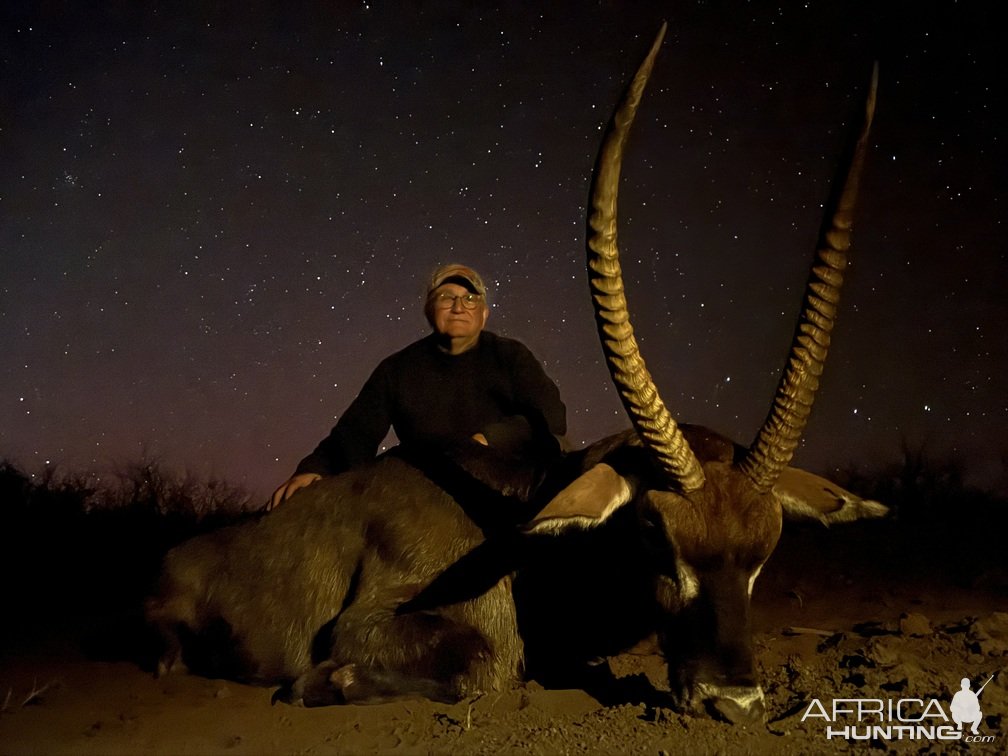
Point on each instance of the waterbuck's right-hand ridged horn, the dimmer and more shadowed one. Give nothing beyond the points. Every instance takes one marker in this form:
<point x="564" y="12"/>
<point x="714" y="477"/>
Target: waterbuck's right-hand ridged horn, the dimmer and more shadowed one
<point x="777" y="441"/>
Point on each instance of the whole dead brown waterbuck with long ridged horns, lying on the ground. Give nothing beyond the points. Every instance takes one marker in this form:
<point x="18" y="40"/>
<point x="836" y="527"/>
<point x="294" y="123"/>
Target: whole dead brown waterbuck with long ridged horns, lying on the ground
<point x="391" y="580"/>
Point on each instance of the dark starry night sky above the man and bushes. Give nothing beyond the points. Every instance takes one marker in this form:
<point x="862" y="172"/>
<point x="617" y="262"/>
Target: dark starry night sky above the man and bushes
<point x="217" y="218"/>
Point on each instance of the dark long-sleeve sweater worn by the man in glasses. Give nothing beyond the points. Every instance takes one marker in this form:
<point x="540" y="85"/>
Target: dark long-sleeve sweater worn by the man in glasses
<point x="433" y="400"/>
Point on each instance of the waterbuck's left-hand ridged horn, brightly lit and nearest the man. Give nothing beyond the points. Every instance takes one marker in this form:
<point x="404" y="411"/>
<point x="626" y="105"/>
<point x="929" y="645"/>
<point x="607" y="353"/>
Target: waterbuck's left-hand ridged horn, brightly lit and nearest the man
<point x="649" y="415"/>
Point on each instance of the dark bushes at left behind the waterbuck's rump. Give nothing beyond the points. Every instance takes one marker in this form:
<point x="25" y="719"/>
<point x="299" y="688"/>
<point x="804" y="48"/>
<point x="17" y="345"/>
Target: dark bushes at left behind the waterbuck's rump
<point x="77" y="552"/>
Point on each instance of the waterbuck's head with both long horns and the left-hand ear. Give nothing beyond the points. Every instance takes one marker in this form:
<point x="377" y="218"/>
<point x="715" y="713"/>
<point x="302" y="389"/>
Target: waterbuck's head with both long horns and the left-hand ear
<point x="707" y="510"/>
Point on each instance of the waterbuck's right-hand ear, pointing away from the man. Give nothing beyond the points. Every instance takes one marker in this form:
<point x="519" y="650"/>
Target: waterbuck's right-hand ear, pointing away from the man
<point x="805" y="496"/>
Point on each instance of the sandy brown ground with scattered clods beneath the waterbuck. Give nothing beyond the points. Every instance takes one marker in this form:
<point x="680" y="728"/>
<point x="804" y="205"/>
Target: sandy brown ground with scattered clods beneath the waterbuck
<point x="60" y="702"/>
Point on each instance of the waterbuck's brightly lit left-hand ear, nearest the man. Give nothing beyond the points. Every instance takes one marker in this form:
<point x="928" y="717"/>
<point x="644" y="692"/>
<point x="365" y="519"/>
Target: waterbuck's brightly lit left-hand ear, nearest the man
<point x="587" y="502"/>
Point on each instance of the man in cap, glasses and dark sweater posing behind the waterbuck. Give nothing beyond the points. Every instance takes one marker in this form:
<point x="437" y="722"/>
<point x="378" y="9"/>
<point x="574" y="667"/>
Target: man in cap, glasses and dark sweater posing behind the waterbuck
<point x="459" y="385"/>
